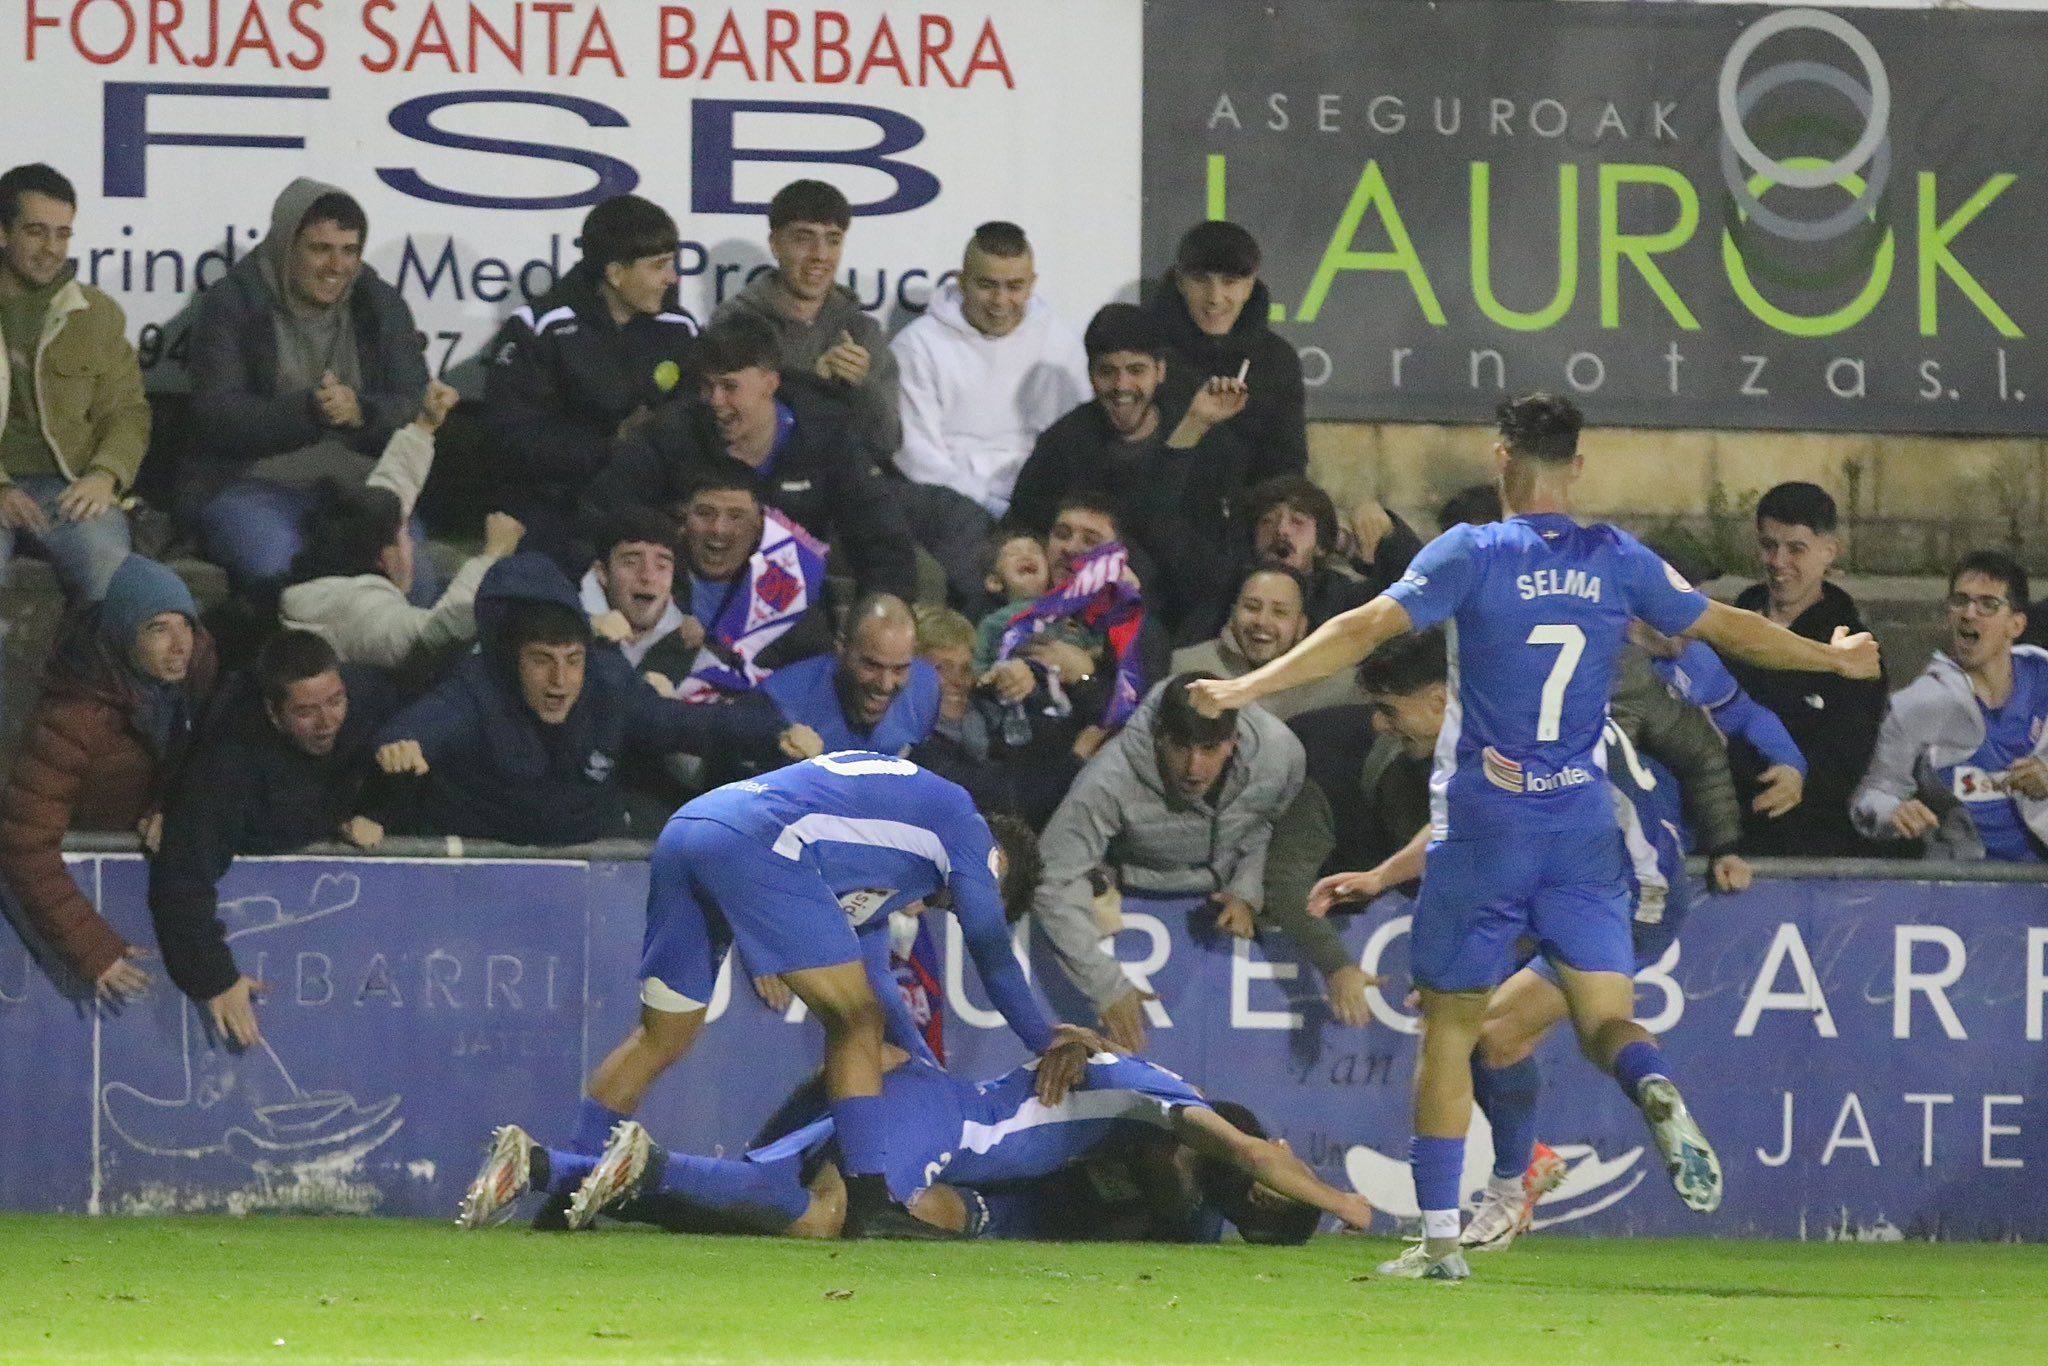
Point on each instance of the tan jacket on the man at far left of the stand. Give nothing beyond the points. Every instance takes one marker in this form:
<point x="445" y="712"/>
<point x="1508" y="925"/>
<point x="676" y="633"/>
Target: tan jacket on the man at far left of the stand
<point x="89" y="388"/>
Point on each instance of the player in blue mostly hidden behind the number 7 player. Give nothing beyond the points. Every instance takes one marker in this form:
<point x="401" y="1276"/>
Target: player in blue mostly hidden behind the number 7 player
<point x="1668" y="753"/>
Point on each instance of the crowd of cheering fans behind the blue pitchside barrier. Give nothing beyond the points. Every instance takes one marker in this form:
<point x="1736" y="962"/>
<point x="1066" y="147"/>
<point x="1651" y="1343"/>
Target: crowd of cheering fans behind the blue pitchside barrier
<point x="996" y="544"/>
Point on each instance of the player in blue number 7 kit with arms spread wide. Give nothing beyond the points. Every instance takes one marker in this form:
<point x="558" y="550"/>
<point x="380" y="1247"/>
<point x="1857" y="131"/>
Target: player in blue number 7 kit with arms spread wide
<point x="1525" y="839"/>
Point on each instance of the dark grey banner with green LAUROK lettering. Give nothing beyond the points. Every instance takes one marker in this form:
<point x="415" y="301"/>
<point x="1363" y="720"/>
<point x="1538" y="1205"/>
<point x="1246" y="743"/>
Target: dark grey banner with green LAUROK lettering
<point x="1682" y="216"/>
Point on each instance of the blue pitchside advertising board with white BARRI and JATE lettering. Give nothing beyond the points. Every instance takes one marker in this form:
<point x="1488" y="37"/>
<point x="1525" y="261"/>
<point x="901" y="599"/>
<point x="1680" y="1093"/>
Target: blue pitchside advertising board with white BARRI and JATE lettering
<point x="1869" y="1058"/>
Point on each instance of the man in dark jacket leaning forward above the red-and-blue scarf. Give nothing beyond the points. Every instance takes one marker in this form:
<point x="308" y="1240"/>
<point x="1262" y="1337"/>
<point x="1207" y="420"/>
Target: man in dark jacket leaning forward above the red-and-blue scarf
<point x="796" y="443"/>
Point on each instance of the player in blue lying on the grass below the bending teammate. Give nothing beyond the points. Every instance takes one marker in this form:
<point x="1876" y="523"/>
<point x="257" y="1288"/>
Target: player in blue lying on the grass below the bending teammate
<point x="964" y="1158"/>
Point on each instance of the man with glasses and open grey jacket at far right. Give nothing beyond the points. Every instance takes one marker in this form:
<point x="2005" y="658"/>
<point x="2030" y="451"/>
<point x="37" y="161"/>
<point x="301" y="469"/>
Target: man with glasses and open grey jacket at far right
<point x="1959" y="763"/>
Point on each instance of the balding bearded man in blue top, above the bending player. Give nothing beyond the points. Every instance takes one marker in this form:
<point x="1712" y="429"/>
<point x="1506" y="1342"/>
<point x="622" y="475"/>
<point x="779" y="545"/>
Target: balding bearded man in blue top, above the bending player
<point x="873" y="693"/>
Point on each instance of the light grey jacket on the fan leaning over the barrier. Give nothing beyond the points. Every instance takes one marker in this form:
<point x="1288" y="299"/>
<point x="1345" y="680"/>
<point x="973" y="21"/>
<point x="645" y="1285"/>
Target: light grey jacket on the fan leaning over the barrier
<point x="1119" y="814"/>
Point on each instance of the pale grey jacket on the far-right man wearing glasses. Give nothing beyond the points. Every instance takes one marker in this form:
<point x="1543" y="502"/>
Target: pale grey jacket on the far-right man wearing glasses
<point x="1934" y="724"/>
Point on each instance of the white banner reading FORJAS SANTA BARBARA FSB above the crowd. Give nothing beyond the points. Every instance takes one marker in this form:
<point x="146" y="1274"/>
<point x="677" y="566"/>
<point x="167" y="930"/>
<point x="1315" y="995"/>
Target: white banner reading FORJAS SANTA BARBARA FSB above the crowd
<point x="476" y="134"/>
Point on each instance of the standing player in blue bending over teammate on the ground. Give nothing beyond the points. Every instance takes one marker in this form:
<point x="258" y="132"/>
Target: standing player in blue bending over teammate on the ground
<point x="804" y="867"/>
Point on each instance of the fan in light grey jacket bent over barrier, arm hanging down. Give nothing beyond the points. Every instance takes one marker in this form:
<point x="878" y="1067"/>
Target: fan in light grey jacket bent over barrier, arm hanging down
<point x="1177" y="806"/>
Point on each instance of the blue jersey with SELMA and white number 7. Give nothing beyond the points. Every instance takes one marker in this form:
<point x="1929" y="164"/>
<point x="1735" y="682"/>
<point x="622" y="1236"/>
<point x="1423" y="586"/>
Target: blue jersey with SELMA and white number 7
<point x="1537" y="611"/>
